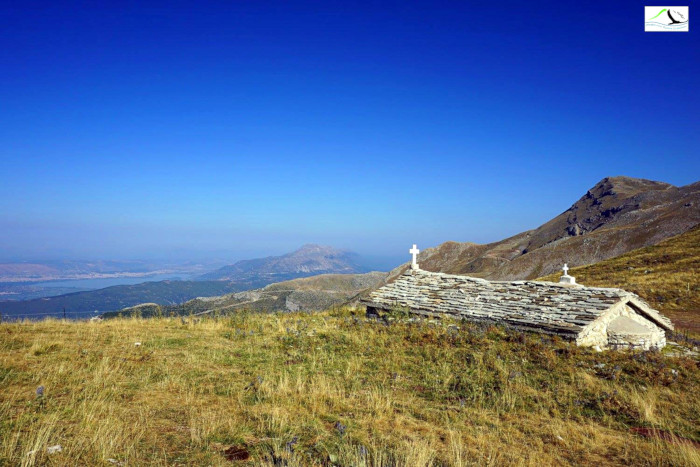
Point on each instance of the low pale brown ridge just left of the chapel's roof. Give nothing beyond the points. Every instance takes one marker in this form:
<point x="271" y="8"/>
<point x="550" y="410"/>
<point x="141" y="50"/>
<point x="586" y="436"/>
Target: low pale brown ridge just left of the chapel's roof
<point x="315" y="293"/>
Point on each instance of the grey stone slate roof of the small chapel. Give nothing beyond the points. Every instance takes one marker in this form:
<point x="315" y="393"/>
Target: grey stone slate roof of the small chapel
<point x="543" y="306"/>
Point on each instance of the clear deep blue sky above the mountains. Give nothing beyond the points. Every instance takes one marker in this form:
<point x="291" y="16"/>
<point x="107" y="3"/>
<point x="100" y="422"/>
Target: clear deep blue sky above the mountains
<point x="239" y="129"/>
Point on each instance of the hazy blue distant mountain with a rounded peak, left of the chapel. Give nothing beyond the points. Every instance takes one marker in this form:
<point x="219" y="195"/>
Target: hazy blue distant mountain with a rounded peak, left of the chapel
<point x="309" y="260"/>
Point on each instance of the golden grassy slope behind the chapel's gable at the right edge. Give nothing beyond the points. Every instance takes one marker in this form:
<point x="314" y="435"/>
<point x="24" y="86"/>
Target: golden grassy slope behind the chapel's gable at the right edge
<point x="667" y="275"/>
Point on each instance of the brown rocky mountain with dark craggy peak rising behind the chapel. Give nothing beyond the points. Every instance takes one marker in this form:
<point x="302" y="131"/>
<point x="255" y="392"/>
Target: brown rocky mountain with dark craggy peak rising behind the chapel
<point x="617" y="215"/>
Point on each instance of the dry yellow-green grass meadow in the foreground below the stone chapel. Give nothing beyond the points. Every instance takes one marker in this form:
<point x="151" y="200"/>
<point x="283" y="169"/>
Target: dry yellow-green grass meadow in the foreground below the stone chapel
<point x="333" y="389"/>
